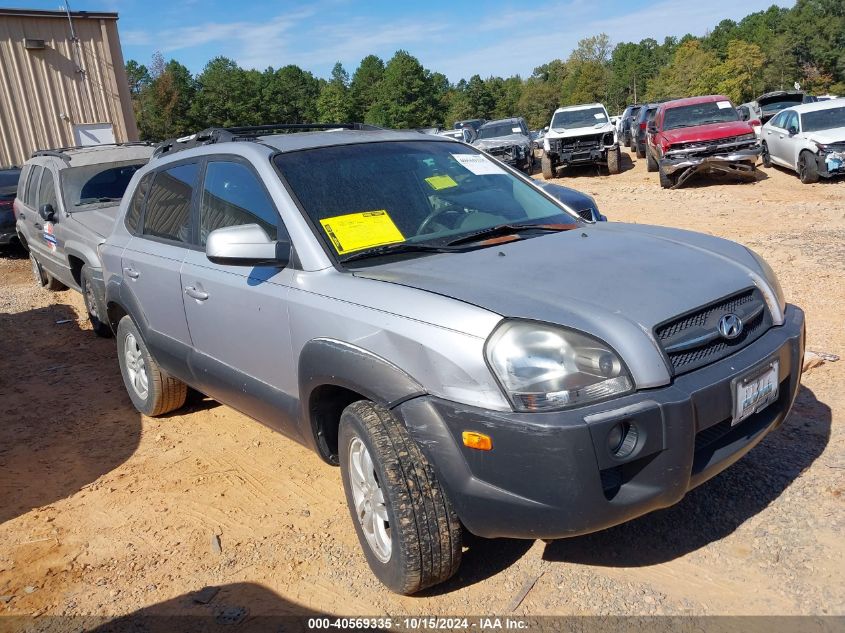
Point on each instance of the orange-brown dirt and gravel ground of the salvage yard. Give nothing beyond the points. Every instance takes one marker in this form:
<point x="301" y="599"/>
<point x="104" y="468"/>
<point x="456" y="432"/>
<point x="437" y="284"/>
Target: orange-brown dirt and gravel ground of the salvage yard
<point x="105" y="512"/>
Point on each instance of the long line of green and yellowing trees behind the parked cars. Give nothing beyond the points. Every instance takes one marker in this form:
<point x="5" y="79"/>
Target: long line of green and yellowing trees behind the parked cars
<point x="766" y="50"/>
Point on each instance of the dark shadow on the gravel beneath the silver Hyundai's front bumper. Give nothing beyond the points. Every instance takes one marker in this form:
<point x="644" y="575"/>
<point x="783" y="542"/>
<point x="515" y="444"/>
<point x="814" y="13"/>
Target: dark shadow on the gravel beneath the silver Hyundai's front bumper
<point x="718" y="507"/>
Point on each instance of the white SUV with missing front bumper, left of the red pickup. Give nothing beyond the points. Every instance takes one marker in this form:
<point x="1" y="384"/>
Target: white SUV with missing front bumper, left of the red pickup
<point x="580" y="135"/>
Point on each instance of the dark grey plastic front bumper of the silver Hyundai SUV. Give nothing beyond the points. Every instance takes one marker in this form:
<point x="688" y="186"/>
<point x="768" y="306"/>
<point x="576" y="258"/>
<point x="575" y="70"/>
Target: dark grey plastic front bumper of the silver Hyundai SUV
<point x="550" y="475"/>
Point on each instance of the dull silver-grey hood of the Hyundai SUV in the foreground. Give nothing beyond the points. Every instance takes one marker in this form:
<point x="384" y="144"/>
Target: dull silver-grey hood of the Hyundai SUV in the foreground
<point x="613" y="281"/>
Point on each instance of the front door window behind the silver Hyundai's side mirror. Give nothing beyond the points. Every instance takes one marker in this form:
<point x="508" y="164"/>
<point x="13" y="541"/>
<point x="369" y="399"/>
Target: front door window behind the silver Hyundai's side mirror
<point x="233" y="195"/>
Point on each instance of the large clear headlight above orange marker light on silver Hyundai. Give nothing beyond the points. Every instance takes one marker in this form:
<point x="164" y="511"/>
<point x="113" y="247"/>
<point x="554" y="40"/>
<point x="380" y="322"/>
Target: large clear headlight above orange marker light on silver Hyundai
<point x="544" y="367"/>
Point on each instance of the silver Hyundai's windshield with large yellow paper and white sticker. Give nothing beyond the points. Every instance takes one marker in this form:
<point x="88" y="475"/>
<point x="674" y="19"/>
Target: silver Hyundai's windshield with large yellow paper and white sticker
<point x="361" y="197"/>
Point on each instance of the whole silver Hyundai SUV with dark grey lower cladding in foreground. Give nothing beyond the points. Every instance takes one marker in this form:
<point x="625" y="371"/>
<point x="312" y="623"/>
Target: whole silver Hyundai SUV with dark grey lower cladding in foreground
<point x="465" y="347"/>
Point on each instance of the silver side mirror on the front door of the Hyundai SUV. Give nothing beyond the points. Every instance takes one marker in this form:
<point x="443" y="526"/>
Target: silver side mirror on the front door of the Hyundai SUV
<point x="246" y="245"/>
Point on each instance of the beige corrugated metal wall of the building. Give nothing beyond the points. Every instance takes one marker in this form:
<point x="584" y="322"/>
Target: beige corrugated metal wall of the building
<point x="42" y="93"/>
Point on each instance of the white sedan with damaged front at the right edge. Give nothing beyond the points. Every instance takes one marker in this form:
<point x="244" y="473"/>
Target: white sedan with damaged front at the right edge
<point x="808" y="139"/>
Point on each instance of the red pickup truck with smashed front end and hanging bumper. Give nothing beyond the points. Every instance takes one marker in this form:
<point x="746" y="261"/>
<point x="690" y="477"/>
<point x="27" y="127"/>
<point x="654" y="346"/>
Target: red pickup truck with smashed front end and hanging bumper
<point x="700" y="135"/>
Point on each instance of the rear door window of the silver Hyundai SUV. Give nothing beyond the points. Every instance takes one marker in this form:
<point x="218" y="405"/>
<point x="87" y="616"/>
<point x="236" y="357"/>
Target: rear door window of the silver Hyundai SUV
<point x="168" y="211"/>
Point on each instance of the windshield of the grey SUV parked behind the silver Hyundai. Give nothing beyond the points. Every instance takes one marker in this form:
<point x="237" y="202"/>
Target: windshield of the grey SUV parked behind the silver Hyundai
<point x="99" y="184"/>
